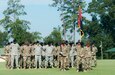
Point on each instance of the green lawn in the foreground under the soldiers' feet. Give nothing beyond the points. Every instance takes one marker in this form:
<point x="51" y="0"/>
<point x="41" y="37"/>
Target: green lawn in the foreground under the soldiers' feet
<point x="105" y="67"/>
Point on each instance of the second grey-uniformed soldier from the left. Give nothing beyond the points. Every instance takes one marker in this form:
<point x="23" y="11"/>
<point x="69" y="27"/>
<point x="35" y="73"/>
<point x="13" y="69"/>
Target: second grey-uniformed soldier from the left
<point x="38" y="53"/>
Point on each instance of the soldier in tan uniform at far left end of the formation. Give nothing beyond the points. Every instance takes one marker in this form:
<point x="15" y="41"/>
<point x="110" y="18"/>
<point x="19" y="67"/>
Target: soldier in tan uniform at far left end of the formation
<point x="8" y="57"/>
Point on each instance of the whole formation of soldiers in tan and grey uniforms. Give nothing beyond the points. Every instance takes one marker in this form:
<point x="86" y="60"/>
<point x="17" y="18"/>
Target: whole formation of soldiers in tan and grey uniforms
<point x="41" y="55"/>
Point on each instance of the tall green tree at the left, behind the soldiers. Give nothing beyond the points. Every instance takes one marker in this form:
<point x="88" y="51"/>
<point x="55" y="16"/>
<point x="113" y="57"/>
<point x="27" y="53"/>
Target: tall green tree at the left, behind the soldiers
<point x="14" y="26"/>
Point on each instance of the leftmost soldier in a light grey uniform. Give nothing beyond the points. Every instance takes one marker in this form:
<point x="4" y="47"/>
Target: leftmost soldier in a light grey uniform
<point x="14" y="54"/>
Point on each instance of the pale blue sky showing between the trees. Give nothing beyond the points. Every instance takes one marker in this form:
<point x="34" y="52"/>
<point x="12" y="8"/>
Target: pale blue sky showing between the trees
<point x="42" y="17"/>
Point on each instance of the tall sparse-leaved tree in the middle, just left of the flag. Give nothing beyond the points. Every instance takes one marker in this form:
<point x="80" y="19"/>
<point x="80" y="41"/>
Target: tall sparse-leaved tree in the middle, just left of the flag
<point x="69" y="13"/>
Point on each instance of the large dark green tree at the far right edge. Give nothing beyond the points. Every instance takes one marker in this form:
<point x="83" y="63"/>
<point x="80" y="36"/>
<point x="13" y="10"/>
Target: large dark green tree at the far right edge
<point x="102" y="26"/>
